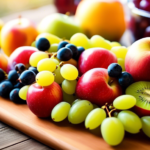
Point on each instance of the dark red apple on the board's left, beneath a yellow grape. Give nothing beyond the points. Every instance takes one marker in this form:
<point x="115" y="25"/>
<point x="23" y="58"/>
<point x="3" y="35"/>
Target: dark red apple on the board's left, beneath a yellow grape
<point x="41" y="100"/>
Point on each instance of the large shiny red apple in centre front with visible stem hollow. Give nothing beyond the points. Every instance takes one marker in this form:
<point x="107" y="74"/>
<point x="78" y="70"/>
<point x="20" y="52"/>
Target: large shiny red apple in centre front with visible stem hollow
<point x="97" y="87"/>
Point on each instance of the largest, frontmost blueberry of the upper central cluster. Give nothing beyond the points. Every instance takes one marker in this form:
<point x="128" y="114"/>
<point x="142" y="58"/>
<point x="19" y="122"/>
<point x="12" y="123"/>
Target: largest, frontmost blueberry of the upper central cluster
<point x="64" y="54"/>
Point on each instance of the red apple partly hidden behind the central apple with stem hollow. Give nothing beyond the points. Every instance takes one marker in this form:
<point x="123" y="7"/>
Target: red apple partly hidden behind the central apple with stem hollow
<point x="95" y="58"/>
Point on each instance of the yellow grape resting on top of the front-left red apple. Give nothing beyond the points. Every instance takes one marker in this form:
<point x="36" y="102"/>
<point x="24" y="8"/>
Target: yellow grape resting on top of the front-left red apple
<point x="45" y="78"/>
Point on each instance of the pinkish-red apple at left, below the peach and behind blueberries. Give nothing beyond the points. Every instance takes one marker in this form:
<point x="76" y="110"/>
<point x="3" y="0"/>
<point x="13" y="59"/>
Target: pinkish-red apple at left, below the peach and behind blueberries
<point x="20" y="55"/>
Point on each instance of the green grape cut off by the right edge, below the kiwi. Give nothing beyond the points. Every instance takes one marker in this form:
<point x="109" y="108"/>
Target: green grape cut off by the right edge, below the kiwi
<point x="146" y="125"/>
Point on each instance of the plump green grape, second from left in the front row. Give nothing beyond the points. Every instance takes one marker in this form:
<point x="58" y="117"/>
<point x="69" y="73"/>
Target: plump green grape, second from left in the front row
<point x="79" y="111"/>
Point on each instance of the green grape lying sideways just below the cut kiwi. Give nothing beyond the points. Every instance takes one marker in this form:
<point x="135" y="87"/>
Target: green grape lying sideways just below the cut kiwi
<point x="124" y="102"/>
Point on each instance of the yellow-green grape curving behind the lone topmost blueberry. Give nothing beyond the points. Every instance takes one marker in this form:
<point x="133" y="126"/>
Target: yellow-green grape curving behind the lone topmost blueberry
<point x="52" y="38"/>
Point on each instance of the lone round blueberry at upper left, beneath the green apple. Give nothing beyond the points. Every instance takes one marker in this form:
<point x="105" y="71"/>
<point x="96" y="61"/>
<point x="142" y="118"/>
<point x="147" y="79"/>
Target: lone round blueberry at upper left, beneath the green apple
<point x="42" y="44"/>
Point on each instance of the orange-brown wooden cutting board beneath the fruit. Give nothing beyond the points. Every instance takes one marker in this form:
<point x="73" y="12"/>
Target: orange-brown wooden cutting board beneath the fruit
<point x="63" y="135"/>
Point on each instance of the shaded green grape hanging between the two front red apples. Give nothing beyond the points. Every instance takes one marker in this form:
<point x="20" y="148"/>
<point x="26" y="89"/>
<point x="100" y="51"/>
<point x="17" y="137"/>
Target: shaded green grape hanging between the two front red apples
<point x="69" y="87"/>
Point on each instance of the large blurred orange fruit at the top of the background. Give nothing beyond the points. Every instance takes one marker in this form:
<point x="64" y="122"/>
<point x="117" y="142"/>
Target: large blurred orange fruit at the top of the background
<point x="102" y="17"/>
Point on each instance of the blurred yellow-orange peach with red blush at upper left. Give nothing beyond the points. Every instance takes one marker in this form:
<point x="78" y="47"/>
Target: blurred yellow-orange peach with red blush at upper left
<point x="16" y="33"/>
